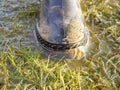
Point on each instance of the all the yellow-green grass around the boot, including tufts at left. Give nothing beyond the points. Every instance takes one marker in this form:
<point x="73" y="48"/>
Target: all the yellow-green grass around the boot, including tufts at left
<point x="23" y="68"/>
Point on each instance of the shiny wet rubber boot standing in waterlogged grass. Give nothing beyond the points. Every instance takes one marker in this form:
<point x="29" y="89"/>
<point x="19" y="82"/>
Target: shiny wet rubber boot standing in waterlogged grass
<point x="60" y="29"/>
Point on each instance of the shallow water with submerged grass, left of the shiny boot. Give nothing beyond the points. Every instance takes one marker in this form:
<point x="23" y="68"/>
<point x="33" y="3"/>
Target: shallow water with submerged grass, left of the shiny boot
<point x="14" y="30"/>
